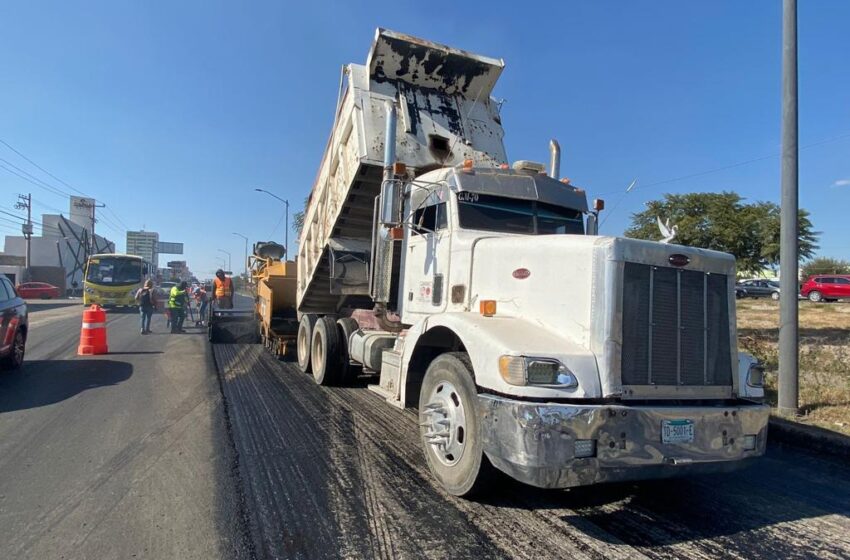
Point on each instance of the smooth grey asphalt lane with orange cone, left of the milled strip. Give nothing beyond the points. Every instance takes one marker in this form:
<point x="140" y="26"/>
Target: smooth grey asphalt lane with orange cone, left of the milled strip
<point x="122" y="455"/>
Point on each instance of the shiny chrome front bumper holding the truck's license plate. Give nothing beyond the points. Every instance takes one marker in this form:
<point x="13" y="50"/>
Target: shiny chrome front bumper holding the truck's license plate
<point x="534" y="442"/>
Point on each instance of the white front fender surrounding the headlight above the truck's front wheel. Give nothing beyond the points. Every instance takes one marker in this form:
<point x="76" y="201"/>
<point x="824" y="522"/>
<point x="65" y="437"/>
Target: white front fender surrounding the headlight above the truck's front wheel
<point x="487" y="338"/>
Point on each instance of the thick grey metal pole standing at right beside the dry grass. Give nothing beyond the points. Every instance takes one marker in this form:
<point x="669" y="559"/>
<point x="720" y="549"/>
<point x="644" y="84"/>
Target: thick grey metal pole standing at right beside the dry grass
<point x="788" y="251"/>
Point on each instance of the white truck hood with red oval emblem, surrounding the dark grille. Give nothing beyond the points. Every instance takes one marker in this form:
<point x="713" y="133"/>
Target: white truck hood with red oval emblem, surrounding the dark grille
<point x="572" y="285"/>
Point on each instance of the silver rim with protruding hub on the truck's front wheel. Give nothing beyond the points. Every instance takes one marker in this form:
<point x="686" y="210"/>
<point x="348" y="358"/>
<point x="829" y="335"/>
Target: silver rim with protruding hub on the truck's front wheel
<point x="444" y="420"/>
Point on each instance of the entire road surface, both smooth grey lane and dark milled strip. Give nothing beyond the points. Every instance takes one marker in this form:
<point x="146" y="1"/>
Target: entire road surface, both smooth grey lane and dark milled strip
<point x="136" y="453"/>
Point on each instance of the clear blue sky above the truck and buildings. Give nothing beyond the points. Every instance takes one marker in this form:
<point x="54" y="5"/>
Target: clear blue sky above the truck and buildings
<point x="172" y="112"/>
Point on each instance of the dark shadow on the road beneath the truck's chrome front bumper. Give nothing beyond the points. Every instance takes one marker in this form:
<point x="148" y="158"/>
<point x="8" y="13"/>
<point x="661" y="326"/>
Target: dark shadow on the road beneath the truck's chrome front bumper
<point x="683" y="510"/>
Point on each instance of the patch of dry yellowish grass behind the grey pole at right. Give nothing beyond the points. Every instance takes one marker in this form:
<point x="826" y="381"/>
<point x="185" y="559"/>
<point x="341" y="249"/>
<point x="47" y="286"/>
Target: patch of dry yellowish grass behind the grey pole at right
<point x="824" y="356"/>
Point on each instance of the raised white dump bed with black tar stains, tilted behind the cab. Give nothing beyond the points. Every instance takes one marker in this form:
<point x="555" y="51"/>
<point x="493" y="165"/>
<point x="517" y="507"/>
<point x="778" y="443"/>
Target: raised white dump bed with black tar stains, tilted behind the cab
<point x="445" y="116"/>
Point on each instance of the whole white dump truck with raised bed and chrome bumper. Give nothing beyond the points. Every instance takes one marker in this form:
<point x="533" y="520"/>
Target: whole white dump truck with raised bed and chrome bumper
<point x="481" y="294"/>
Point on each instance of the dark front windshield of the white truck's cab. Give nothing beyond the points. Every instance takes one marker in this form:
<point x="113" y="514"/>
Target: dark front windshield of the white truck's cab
<point x="511" y="215"/>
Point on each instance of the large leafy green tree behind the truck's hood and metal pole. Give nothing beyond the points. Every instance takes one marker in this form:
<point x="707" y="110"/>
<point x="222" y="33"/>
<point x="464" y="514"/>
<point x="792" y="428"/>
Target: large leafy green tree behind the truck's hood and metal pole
<point x="724" y="222"/>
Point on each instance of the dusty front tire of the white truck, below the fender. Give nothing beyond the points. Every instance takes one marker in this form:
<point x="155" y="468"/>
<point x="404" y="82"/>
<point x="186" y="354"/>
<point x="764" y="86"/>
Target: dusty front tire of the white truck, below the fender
<point x="471" y="471"/>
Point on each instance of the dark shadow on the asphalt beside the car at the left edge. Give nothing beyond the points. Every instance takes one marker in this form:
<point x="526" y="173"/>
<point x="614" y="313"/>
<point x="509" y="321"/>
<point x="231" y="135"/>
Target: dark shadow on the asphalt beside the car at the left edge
<point x="43" y="382"/>
